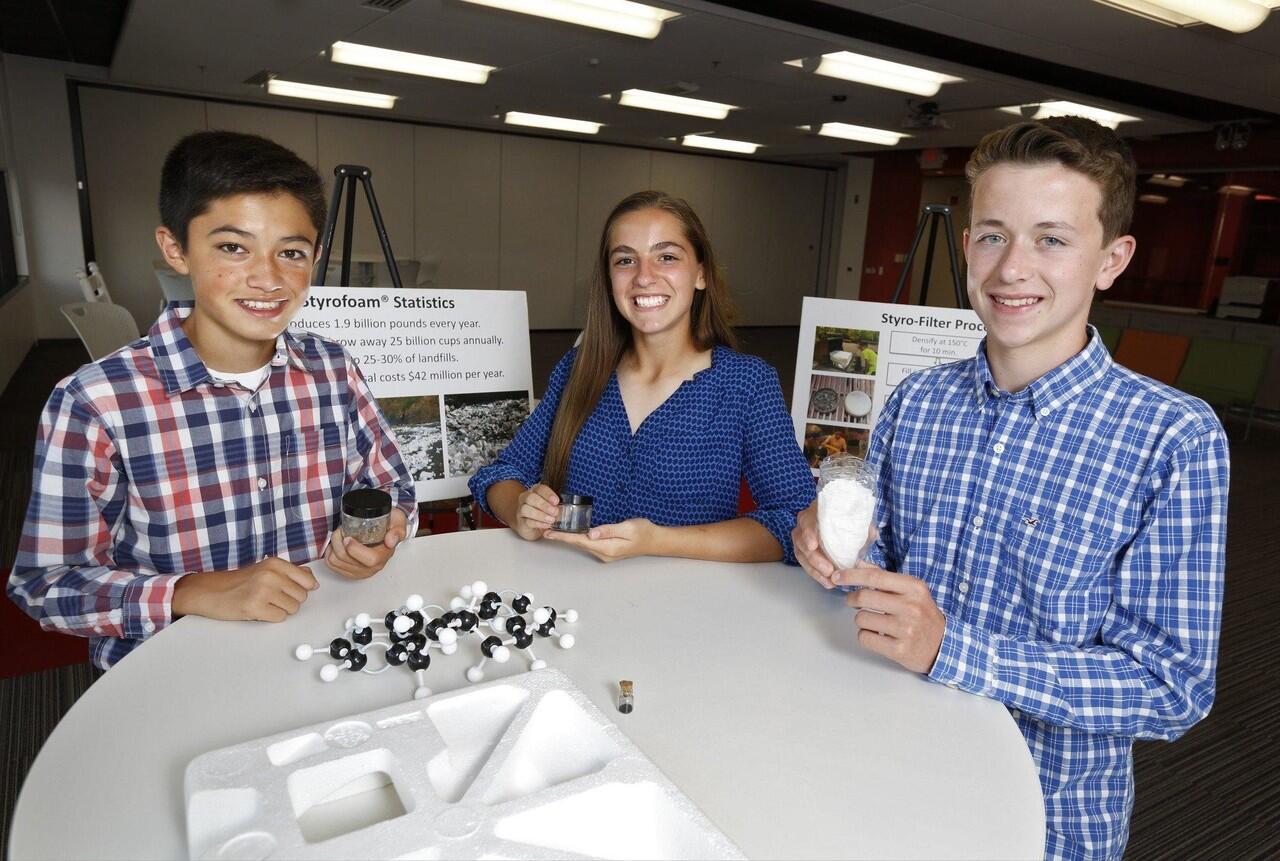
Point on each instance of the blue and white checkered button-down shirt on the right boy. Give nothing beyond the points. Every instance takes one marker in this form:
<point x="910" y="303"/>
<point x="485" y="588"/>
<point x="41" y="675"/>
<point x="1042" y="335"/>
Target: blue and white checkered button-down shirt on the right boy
<point x="1073" y="534"/>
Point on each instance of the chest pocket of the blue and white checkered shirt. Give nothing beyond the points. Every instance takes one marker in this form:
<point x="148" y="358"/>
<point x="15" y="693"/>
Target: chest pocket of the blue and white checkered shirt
<point x="1060" y="573"/>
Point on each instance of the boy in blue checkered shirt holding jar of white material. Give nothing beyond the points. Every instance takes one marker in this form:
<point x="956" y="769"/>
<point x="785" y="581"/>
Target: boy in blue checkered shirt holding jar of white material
<point x="1052" y="525"/>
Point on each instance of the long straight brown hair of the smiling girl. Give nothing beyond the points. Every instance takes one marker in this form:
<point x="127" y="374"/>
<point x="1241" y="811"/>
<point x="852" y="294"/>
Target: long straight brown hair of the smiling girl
<point x="609" y="336"/>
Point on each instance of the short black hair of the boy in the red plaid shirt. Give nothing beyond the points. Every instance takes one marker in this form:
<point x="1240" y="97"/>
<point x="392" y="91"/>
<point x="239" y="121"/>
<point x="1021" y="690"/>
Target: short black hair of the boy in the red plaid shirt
<point x="211" y="166"/>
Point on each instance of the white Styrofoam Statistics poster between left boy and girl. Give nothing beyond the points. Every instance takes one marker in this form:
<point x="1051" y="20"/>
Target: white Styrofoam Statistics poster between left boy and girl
<point x="450" y="370"/>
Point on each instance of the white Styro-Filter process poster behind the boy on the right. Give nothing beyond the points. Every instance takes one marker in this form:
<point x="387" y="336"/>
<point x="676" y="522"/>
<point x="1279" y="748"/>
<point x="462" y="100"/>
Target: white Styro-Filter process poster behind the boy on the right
<point x="851" y="358"/>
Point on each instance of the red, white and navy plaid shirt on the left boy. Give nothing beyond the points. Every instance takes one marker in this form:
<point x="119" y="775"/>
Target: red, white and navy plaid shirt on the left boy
<point x="148" y="469"/>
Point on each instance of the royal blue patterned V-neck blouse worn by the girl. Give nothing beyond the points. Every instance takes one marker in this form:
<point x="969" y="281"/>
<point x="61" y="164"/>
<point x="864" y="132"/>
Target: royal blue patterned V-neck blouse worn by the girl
<point x="685" y="464"/>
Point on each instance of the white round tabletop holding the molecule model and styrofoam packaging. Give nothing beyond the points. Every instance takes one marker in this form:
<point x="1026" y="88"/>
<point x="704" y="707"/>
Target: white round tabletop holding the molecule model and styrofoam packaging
<point x="752" y="695"/>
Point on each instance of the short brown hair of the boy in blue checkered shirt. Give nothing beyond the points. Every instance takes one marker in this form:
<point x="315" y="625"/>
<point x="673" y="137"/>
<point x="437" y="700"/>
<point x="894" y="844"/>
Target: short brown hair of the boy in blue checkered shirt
<point x="1073" y="143"/>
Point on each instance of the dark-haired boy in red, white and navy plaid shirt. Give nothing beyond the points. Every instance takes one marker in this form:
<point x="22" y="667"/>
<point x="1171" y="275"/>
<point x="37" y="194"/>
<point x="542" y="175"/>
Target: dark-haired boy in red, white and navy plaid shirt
<point x="198" y="469"/>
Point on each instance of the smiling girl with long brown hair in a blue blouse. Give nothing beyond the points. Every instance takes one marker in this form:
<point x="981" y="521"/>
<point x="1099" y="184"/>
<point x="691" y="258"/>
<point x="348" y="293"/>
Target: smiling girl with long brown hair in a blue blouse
<point x="656" y="416"/>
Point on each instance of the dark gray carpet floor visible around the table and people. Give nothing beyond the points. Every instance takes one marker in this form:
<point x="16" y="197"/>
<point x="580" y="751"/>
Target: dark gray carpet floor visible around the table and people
<point x="1215" y="794"/>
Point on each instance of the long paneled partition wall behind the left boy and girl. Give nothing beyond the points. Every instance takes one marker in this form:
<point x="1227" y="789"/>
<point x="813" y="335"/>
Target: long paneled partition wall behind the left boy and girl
<point x="501" y="212"/>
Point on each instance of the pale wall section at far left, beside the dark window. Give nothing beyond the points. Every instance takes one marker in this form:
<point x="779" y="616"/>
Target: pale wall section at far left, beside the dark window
<point x="45" y="166"/>
